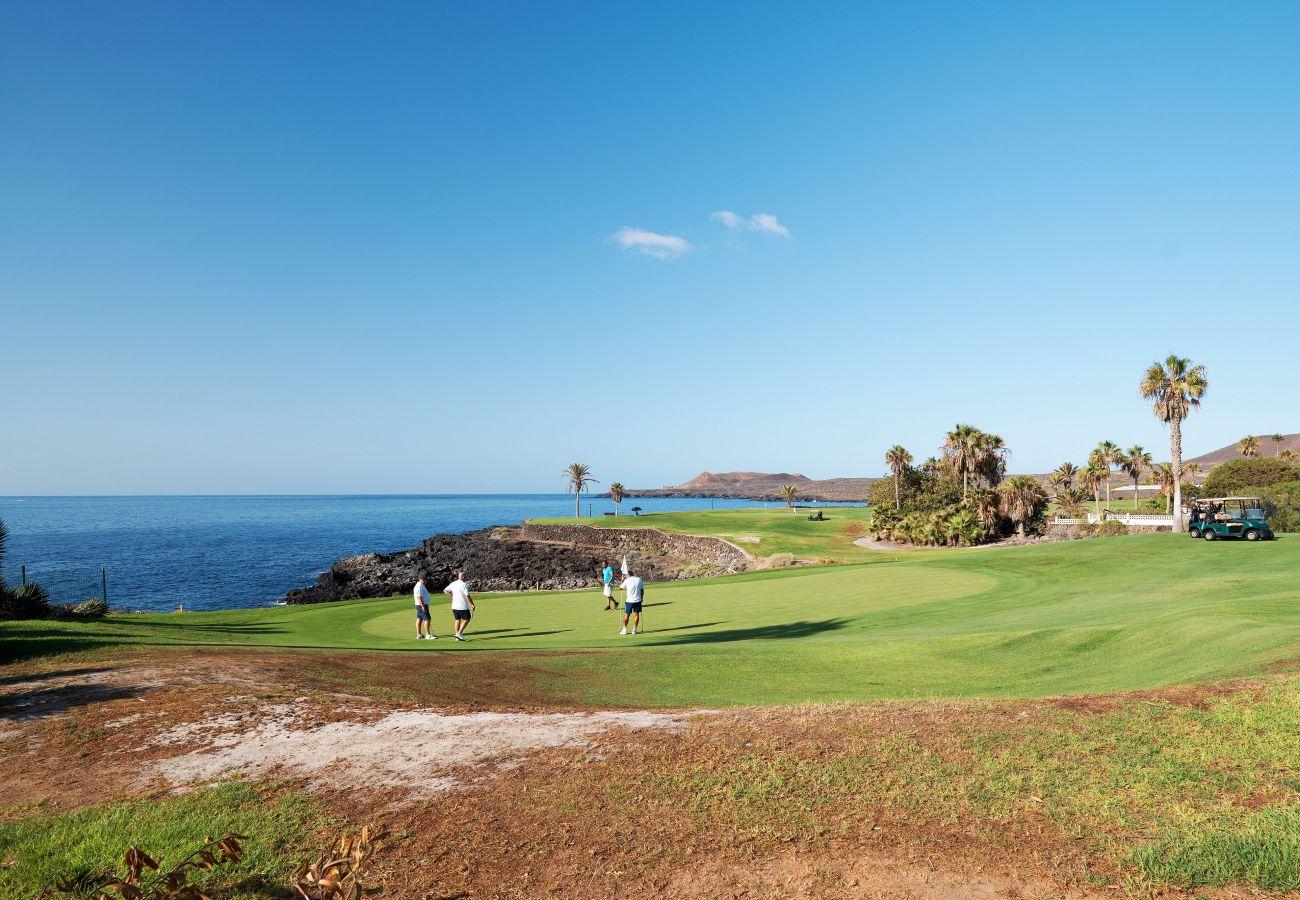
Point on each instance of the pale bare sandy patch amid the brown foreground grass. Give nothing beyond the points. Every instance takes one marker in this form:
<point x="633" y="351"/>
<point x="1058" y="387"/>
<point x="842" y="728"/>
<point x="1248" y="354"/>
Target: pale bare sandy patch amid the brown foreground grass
<point x="422" y="751"/>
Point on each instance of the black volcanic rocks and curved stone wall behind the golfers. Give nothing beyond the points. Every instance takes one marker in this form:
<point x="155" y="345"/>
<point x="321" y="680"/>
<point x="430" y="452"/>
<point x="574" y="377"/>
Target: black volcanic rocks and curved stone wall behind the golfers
<point x="523" y="559"/>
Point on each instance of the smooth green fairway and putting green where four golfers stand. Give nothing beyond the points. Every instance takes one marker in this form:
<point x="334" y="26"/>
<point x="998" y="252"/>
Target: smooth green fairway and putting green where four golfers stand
<point x="1058" y="618"/>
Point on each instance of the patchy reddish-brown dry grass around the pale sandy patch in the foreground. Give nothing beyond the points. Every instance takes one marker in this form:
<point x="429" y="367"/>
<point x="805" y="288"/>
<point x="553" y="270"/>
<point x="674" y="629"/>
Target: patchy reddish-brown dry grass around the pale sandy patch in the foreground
<point x="963" y="799"/>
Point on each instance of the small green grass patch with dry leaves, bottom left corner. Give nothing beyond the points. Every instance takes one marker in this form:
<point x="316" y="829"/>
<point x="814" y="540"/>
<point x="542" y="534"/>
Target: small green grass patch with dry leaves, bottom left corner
<point x="38" y="849"/>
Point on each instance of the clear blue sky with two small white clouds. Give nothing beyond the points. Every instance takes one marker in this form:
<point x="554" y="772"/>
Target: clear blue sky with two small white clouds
<point x="376" y="248"/>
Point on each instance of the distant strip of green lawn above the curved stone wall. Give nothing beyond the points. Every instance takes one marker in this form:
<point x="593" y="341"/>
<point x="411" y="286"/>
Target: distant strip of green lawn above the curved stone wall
<point x="761" y="533"/>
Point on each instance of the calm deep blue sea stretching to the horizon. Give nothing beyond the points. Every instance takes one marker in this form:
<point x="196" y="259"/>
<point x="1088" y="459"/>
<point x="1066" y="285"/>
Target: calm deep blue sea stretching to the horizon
<point x="239" y="552"/>
